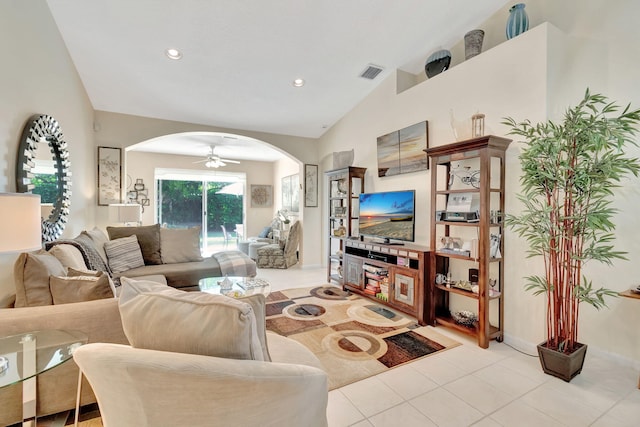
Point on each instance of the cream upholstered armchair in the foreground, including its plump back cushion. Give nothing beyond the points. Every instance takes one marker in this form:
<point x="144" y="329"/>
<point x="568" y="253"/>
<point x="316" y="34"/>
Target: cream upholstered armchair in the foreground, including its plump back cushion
<point x="198" y="359"/>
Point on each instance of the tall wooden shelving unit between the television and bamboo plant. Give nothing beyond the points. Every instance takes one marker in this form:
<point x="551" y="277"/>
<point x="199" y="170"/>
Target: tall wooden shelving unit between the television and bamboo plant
<point x="452" y="167"/>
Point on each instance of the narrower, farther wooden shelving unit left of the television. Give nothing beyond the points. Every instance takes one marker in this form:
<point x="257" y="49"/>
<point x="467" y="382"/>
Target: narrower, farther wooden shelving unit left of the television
<point x="344" y="187"/>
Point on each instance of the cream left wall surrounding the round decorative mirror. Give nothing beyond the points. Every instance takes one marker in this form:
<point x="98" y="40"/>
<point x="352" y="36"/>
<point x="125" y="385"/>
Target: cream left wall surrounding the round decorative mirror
<point x="38" y="76"/>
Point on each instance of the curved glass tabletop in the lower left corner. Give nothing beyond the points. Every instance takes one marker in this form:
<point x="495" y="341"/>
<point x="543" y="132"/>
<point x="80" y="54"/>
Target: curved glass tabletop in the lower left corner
<point x="27" y="355"/>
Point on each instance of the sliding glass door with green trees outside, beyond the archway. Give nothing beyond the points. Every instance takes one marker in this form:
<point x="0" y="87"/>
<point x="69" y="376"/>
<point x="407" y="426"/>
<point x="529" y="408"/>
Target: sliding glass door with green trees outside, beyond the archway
<point x="213" y="202"/>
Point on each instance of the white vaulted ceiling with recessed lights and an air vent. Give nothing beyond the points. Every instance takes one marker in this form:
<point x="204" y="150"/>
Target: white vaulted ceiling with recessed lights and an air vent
<point x="239" y="58"/>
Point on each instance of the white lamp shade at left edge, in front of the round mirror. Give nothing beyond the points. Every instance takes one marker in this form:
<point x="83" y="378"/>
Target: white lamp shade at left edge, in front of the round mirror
<point x="20" y="222"/>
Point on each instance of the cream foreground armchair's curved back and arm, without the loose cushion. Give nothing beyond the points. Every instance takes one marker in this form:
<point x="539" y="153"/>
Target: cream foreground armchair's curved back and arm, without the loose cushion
<point x="138" y="387"/>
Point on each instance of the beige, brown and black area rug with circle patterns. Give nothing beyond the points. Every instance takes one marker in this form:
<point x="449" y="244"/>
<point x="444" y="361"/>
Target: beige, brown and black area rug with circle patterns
<point x="353" y="337"/>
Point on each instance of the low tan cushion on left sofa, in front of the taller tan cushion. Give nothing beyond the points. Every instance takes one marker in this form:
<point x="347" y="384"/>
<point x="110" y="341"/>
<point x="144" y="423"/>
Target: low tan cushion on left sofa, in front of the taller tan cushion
<point x="65" y="290"/>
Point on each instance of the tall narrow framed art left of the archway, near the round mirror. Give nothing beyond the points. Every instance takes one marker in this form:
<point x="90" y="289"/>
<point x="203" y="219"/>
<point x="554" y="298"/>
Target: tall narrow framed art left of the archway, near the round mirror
<point x="109" y="175"/>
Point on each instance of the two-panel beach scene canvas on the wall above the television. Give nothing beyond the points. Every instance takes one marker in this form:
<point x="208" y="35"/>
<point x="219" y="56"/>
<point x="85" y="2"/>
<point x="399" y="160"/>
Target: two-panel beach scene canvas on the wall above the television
<point x="402" y="151"/>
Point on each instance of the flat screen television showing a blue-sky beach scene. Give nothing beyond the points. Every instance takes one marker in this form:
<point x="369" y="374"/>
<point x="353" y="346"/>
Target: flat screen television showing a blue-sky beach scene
<point x="388" y="215"/>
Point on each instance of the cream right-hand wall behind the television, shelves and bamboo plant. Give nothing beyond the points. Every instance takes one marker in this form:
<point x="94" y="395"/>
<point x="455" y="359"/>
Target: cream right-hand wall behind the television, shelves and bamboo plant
<point x="533" y="76"/>
